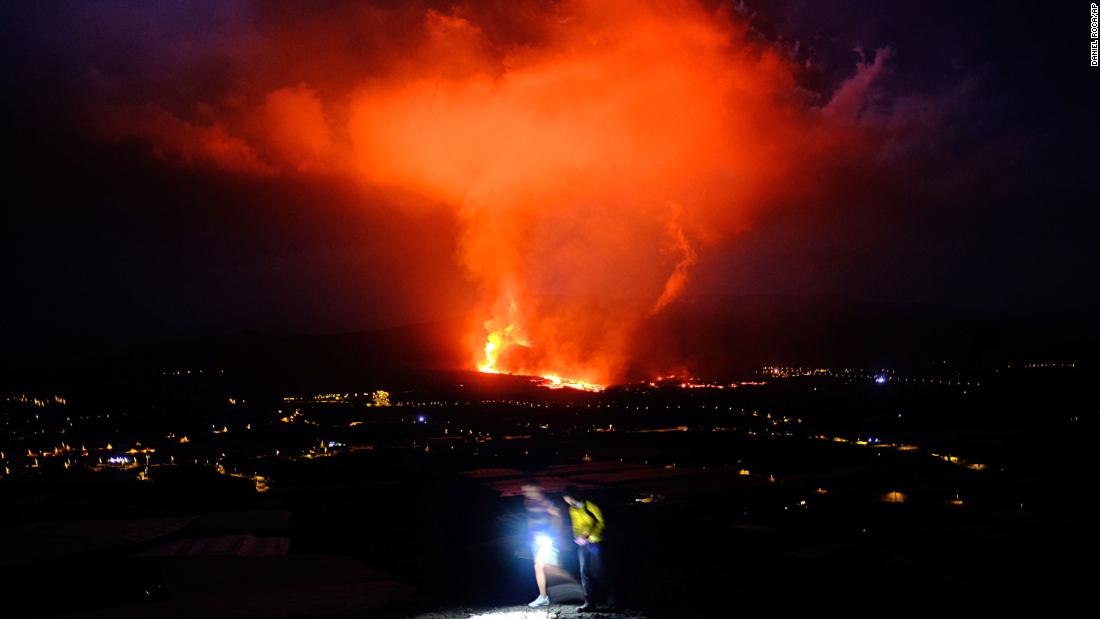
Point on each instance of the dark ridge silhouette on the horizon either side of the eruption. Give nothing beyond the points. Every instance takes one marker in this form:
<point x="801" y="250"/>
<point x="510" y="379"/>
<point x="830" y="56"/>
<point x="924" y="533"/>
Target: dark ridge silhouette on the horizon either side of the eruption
<point x="714" y="337"/>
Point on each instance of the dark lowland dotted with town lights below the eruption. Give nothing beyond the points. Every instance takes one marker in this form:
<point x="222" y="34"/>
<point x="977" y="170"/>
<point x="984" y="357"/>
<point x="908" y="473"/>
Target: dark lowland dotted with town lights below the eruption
<point x="938" y="487"/>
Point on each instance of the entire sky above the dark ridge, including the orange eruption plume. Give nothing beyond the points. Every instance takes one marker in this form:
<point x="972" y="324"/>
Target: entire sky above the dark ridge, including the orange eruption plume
<point x="554" y="175"/>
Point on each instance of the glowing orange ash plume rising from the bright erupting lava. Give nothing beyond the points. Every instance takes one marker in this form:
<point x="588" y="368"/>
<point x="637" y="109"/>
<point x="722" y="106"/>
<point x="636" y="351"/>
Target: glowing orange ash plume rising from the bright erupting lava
<point x="589" y="169"/>
